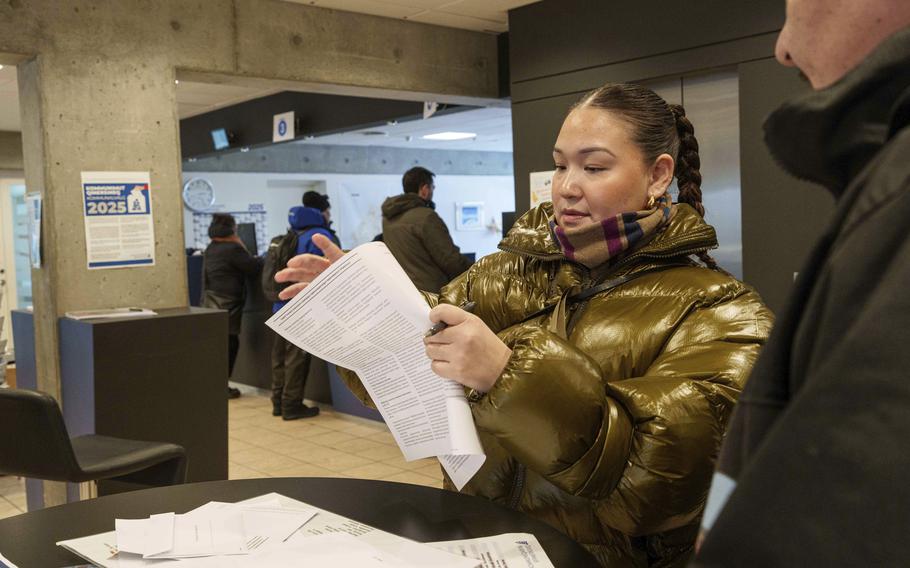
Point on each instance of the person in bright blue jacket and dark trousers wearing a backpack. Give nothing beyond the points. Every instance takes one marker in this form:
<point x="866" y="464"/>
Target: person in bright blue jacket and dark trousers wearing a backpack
<point x="290" y="364"/>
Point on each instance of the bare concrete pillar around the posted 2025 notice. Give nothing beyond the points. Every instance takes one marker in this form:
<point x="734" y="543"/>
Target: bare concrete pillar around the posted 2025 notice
<point x="96" y="115"/>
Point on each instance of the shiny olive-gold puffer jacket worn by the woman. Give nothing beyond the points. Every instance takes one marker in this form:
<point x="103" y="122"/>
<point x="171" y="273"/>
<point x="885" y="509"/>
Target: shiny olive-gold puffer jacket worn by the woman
<point x="610" y="434"/>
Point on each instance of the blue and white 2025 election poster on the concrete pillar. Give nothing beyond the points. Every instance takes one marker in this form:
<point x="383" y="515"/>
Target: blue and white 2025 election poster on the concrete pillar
<point x="119" y="230"/>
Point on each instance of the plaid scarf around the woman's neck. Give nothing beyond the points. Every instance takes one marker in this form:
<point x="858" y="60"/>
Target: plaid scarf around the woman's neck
<point x="620" y="234"/>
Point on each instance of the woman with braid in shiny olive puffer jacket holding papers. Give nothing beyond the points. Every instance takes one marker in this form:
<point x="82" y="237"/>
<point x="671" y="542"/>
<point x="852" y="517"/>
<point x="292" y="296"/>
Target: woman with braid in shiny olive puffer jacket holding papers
<point x="606" y="349"/>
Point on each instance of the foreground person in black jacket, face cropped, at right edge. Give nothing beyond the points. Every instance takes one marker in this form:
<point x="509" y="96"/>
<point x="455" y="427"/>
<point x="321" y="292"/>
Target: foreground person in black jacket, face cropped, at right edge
<point x="814" y="468"/>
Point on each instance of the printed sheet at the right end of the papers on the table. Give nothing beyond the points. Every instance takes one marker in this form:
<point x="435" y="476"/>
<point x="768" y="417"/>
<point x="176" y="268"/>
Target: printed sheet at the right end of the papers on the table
<point x="512" y="550"/>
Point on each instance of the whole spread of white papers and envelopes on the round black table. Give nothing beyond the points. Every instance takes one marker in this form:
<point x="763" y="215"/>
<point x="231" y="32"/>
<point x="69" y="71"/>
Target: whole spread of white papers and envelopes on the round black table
<point x="276" y="531"/>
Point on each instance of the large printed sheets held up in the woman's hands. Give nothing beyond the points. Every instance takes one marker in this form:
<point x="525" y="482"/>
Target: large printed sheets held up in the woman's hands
<point x="364" y="314"/>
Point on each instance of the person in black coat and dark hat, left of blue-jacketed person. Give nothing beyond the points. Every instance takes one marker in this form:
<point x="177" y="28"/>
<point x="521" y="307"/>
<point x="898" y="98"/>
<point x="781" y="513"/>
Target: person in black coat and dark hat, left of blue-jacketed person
<point x="226" y="266"/>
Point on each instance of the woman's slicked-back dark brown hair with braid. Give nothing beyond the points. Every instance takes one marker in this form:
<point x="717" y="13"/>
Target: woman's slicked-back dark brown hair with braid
<point x="657" y="128"/>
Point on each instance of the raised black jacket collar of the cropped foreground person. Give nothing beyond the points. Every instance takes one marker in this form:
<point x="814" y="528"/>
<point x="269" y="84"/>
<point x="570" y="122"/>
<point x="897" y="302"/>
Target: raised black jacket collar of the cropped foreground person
<point x="828" y="136"/>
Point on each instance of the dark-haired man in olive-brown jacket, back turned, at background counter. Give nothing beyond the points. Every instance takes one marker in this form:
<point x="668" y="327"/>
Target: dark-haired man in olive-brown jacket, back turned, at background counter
<point x="417" y="236"/>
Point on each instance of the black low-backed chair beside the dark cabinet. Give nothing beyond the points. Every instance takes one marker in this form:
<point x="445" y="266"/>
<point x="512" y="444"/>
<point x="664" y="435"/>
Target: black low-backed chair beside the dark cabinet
<point x="34" y="443"/>
